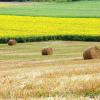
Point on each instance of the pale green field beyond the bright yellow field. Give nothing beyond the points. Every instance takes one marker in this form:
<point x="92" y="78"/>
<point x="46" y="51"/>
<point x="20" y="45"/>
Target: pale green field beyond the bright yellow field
<point x="66" y="9"/>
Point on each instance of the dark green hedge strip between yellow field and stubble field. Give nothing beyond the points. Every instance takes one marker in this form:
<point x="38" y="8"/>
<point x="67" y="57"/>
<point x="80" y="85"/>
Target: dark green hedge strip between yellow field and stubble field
<point x="57" y="37"/>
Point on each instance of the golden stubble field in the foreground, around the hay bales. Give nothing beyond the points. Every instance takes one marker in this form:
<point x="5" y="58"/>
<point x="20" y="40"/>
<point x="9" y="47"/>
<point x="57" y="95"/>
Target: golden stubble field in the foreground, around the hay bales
<point x="25" y="73"/>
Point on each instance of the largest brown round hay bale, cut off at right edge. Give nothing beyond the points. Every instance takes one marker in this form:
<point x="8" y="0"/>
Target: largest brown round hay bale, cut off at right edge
<point x="91" y="53"/>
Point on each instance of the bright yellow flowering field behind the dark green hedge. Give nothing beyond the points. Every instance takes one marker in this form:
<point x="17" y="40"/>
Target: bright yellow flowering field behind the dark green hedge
<point x="25" y="26"/>
